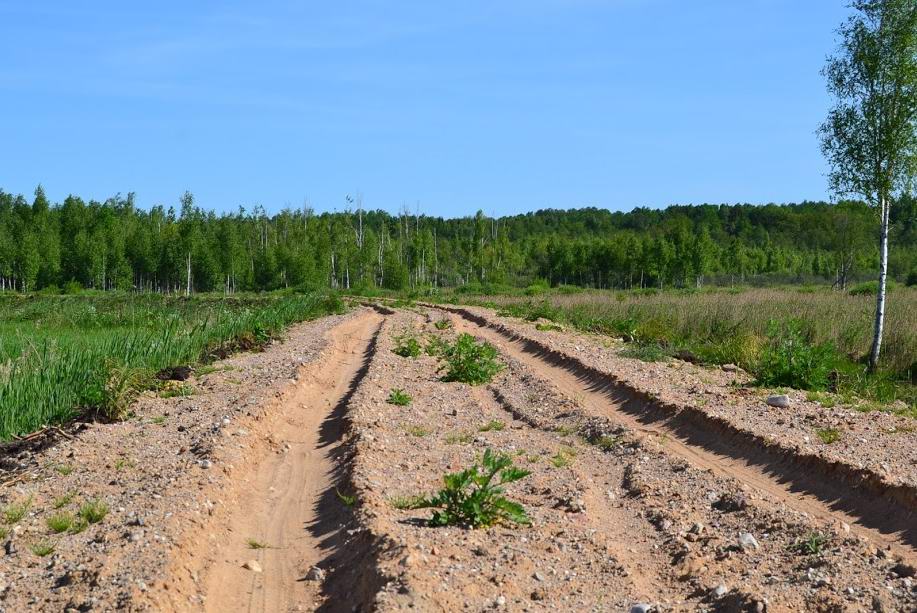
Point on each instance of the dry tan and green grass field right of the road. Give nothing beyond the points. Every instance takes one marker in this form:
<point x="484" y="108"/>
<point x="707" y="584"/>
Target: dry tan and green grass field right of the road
<point x="809" y="338"/>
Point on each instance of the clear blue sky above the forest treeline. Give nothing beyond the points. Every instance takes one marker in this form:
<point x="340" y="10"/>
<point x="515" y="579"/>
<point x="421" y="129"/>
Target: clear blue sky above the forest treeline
<point x="504" y="106"/>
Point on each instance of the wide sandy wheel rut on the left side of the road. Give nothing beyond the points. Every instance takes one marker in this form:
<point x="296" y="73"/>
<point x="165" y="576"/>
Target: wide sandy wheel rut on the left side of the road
<point x="291" y="503"/>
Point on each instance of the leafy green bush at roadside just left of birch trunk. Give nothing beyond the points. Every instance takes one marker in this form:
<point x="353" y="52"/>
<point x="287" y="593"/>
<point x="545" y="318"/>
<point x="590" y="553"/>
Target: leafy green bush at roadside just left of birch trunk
<point x="790" y="359"/>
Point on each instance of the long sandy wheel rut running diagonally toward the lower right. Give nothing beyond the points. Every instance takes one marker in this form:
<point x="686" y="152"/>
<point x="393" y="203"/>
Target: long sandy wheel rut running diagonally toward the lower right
<point x="818" y="495"/>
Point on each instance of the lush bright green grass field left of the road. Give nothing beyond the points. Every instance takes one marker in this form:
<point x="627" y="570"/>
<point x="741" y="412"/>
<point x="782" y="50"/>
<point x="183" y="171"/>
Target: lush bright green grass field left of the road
<point x="61" y="356"/>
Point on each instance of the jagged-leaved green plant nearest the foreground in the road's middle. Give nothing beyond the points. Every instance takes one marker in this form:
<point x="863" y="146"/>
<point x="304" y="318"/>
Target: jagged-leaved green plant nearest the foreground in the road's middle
<point x="472" y="498"/>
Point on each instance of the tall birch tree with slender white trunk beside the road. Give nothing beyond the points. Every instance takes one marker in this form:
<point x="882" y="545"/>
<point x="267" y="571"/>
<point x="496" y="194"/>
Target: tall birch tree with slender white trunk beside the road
<point x="869" y="137"/>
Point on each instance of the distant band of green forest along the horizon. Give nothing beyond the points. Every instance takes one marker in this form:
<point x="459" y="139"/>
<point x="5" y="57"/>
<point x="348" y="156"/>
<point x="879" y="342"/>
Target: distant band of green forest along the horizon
<point x="115" y="245"/>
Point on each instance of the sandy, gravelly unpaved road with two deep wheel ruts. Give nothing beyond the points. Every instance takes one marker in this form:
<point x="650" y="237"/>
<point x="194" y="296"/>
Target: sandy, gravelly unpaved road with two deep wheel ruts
<point x="278" y="486"/>
